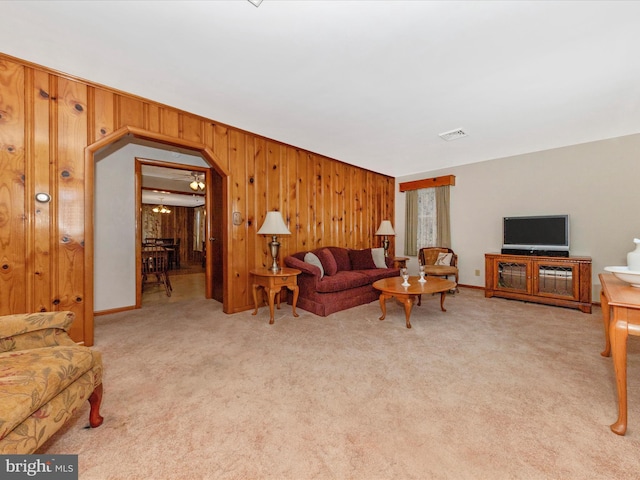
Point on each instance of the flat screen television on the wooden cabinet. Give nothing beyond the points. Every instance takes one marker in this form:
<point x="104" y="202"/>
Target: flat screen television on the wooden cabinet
<point x="547" y="233"/>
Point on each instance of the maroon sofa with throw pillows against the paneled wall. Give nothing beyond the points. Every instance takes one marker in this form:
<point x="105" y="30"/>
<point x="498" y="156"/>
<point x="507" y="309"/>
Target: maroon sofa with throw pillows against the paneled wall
<point x="344" y="281"/>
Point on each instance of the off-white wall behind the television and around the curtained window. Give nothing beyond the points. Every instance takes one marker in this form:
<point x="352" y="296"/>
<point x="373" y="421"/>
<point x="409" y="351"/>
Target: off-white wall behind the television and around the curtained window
<point x="596" y="183"/>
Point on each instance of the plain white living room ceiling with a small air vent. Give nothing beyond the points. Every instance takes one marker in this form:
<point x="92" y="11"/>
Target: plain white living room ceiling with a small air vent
<point x="371" y="83"/>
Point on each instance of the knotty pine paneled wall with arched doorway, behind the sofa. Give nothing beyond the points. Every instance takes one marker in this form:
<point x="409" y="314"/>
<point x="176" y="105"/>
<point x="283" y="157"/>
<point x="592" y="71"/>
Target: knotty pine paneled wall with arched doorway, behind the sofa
<point x="47" y="119"/>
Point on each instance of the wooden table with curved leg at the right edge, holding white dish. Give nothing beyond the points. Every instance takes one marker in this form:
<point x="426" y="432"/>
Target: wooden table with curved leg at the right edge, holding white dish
<point x="623" y="301"/>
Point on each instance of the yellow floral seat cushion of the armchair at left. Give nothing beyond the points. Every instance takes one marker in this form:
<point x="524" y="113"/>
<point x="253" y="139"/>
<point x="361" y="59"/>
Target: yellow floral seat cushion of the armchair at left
<point x="30" y="378"/>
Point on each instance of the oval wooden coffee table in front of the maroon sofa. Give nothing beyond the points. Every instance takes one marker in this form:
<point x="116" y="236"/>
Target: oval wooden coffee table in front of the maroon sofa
<point x="392" y="288"/>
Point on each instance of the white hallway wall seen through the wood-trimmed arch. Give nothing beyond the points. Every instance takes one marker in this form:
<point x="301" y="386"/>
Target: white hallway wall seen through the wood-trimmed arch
<point x="114" y="220"/>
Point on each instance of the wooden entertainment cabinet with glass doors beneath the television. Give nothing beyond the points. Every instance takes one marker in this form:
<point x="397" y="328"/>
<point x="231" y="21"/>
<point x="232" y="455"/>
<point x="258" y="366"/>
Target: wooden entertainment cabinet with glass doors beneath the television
<point x="559" y="281"/>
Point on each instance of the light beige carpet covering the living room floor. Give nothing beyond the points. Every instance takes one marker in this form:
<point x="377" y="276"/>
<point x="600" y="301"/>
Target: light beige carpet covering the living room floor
<point x="491" y="389"/>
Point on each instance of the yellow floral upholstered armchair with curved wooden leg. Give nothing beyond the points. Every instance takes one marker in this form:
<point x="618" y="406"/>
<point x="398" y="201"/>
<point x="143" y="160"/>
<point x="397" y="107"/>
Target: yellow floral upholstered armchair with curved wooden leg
<point x="44" y="378"/>
